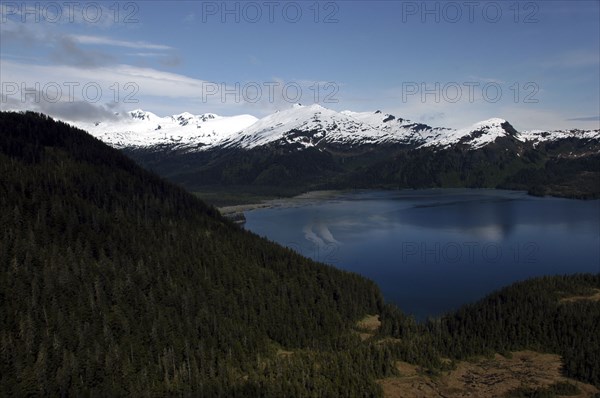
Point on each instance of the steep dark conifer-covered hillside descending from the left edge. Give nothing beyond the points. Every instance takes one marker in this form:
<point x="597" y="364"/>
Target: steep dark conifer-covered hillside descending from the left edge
<point x="114" y="282"/>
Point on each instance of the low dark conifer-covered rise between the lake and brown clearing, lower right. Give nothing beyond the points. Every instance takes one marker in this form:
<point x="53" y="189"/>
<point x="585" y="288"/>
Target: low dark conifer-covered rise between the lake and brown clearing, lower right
<point x="558" y="314"/>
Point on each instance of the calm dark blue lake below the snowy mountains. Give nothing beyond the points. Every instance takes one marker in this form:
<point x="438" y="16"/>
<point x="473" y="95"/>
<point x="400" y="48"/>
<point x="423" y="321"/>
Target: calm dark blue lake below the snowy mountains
<point x="431" y="251"/>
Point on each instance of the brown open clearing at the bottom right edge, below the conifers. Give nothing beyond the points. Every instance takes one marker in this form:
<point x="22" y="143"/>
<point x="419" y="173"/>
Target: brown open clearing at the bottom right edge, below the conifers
<point x="486" y="377"/>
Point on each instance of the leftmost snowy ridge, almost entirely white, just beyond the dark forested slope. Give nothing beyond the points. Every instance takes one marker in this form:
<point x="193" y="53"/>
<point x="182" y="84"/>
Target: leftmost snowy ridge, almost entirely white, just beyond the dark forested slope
<point x="144" y="129"/>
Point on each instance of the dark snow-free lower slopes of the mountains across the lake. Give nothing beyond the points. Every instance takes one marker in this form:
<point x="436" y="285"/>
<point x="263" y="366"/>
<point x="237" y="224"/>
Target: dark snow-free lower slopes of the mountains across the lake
<point x="569" y="168"/>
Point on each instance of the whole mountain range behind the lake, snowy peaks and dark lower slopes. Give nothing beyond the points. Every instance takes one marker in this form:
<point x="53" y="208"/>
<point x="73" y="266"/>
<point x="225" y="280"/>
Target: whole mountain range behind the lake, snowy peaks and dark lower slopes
<point x="306" y="148"/>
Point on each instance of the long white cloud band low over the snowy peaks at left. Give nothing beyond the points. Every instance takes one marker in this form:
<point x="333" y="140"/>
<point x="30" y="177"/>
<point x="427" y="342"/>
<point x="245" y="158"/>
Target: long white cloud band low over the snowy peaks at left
<point x="152" y="89"/>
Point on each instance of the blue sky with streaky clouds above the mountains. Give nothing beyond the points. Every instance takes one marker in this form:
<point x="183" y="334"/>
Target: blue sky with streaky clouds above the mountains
<point x="444" y="63"/>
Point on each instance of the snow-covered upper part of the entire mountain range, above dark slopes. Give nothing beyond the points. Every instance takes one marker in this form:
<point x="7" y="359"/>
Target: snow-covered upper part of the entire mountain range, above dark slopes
<point x="305" y="126"/>
